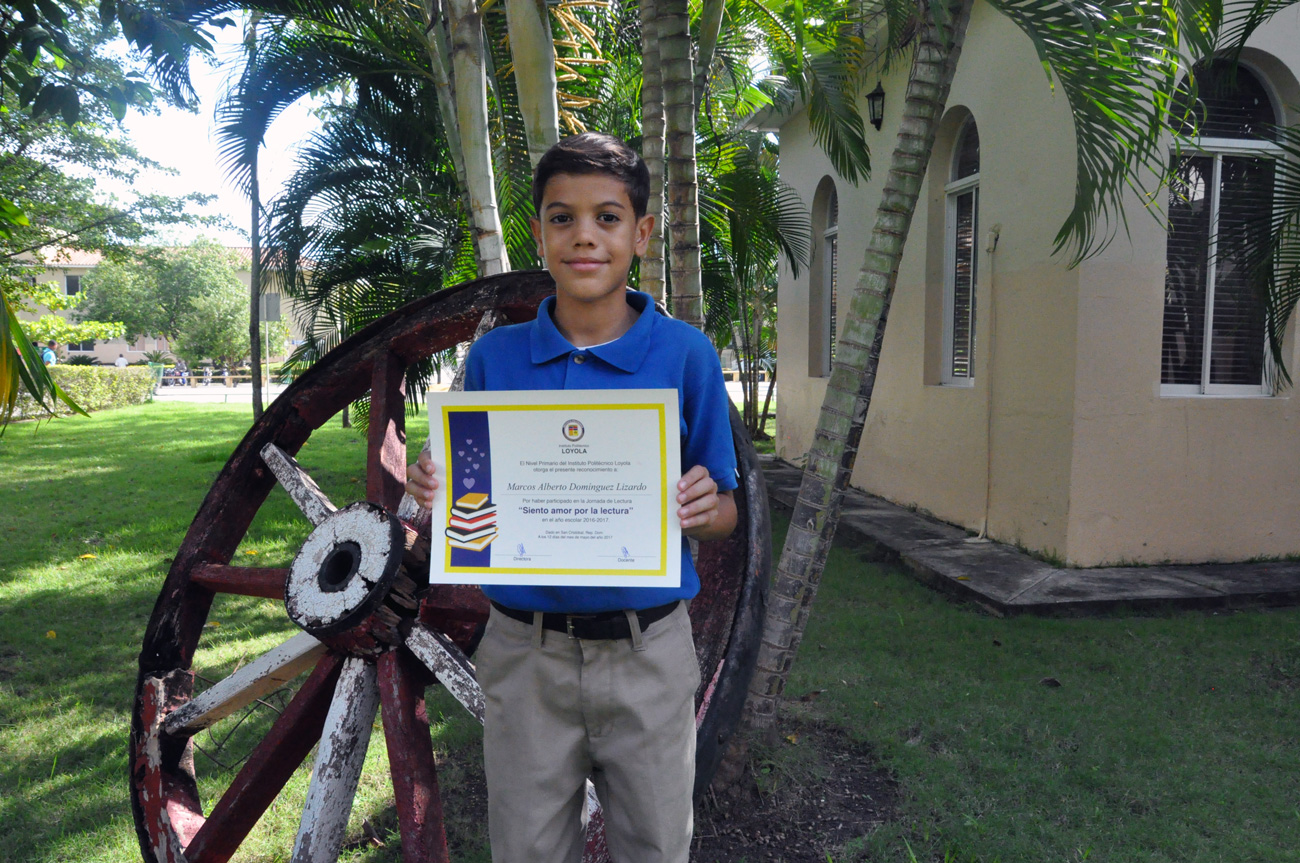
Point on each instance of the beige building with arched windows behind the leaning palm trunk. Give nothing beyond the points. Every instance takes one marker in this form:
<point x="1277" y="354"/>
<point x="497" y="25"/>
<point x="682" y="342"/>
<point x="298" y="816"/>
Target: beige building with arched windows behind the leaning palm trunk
<point x="1121" y="411"/>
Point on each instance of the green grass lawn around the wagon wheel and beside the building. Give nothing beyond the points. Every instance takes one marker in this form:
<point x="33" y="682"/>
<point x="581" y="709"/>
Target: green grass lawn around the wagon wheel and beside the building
<point x="1171" y="739"/>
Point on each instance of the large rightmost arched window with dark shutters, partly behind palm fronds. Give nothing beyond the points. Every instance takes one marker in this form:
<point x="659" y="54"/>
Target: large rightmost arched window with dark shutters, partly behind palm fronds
<point x="1221" y="197"/>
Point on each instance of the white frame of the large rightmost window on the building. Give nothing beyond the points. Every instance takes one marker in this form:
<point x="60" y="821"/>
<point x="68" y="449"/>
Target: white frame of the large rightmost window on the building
<point x="1217" y="149"/>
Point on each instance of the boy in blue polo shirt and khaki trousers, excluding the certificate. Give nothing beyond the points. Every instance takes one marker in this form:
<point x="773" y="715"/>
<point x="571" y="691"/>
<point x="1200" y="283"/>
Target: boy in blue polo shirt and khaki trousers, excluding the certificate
<point x="599" y="682"/>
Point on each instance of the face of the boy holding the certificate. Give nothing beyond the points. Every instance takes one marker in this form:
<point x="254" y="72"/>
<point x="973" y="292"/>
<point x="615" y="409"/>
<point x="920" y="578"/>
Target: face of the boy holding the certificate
<point x="588" y="235"/>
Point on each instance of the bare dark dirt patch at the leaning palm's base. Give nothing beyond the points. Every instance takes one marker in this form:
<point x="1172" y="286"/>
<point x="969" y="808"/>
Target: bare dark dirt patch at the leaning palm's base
<point x="811" y="796"/>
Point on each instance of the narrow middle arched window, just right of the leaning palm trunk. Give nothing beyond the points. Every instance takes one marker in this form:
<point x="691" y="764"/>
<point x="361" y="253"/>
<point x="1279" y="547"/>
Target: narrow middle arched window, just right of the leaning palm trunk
<point x="961" y="259"/>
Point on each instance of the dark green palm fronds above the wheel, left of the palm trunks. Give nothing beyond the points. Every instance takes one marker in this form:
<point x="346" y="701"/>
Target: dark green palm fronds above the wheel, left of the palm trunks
<point x="374" y="202"/>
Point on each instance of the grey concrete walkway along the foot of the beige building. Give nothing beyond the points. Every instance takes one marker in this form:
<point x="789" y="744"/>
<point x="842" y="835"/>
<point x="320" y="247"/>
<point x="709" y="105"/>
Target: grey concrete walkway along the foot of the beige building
<point x="1009" y="582"/>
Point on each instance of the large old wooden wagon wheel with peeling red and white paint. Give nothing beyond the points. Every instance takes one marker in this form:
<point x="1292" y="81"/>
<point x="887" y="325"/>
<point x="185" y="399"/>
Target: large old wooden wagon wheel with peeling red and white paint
<point x="374" y="636"/>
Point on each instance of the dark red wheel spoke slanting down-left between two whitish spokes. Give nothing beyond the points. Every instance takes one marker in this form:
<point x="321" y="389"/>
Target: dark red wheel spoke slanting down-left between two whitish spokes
<point x="268" y="767"/>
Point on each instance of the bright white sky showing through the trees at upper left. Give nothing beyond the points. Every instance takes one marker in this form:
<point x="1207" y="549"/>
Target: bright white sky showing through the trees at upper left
<point x="187" y="142"/>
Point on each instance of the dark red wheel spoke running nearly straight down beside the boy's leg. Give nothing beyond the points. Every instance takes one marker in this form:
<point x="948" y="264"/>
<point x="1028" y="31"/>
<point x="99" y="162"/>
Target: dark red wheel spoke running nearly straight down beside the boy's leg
<point x="415" y="778"/>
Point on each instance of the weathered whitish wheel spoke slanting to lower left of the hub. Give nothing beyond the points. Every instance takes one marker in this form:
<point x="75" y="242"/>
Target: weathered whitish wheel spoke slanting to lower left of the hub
<point x="262" y="676"/>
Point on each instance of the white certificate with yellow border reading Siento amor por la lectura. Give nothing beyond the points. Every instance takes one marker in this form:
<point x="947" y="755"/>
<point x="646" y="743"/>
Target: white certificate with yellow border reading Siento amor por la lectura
<point x="557" y="488"/>
